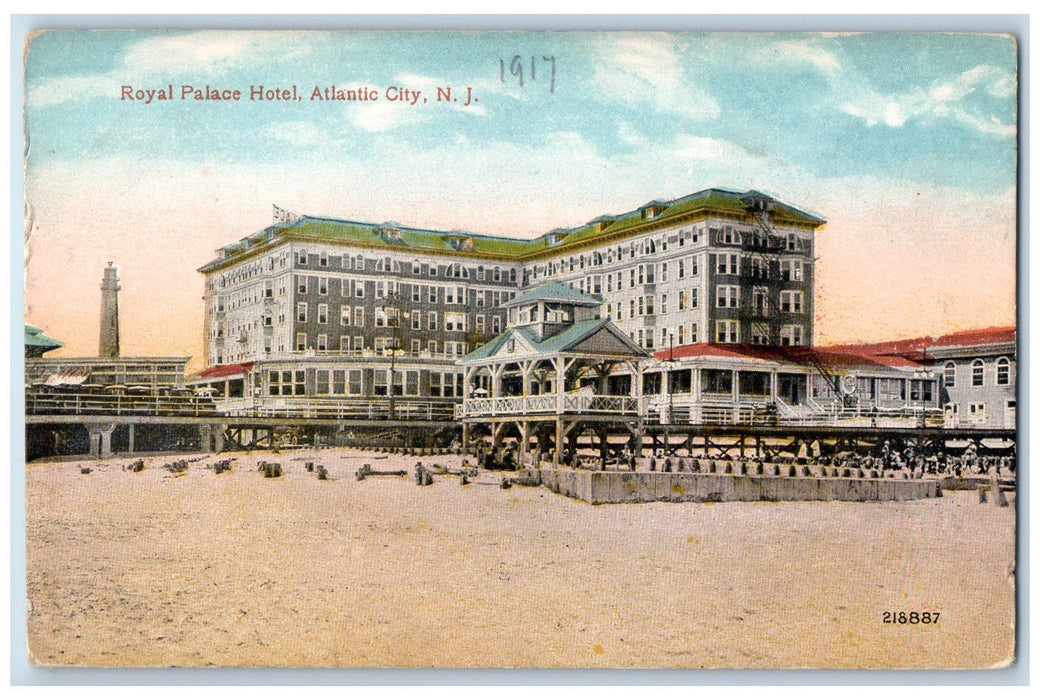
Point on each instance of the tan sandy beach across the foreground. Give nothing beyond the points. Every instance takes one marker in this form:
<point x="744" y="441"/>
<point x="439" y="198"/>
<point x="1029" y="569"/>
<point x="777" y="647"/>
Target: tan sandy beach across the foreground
<point x="203" y="569"/>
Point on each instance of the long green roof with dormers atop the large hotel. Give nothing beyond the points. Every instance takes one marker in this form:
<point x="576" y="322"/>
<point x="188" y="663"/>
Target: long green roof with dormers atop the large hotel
<point x="394" y="237"/>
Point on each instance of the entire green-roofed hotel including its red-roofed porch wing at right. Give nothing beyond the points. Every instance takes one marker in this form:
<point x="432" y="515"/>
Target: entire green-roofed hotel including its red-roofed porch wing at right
<point x="333" y="317"/>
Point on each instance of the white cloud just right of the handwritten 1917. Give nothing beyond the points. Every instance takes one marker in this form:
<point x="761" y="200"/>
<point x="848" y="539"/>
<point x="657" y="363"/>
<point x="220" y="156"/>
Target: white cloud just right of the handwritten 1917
<point x="635" y="69"/>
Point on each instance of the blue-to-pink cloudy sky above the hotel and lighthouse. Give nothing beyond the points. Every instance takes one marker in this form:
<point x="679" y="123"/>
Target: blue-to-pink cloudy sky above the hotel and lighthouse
<point x="905" y="143"/>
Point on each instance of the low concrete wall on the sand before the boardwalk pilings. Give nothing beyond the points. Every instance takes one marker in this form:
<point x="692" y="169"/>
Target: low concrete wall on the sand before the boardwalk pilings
<point x="627" y="487"/>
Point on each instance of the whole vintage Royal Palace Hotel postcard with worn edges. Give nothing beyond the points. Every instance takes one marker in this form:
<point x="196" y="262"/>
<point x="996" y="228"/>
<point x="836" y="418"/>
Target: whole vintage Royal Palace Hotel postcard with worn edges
<point x="547" y="350"/>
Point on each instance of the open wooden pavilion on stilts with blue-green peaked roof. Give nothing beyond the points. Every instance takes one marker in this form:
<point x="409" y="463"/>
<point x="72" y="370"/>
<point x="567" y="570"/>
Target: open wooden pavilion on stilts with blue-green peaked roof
<point x="550" y="377"/>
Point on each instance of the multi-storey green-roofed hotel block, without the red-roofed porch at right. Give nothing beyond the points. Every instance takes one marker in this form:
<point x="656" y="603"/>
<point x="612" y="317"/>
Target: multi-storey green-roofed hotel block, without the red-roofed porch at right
<point x="313" y="306"/>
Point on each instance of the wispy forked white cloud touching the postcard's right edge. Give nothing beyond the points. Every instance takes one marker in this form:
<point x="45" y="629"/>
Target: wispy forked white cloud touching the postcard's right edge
<point x="942" y="100"/>
